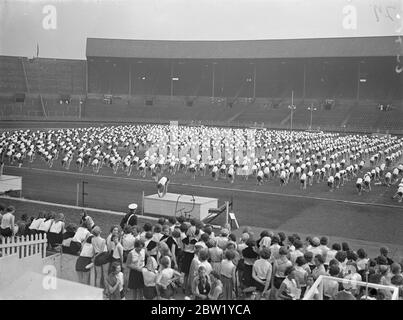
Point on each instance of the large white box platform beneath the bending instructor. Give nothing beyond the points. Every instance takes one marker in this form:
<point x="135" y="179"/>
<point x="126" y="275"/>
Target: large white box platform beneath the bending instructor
<point x="173" y="204"/>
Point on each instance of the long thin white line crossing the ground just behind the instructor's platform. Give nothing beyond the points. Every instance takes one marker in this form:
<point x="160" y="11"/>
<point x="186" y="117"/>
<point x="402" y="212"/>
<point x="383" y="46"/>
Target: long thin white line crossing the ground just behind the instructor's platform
<point x="216" y="188"/>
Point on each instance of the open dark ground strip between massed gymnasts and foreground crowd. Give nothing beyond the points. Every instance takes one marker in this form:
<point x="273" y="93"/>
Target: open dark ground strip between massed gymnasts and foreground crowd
<point x="372" y="216"/>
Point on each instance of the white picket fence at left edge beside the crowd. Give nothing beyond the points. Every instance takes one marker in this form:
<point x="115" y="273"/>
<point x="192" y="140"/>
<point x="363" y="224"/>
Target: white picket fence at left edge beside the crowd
<point x="24" y="246"/>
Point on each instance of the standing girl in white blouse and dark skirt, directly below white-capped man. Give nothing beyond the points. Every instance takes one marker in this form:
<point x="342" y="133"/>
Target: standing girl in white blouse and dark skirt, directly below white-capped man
<point x="136" y="262"/>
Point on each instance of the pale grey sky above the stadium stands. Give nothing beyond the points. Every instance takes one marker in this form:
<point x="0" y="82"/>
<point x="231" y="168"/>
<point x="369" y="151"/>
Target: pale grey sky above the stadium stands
<point x="60" y="27"/>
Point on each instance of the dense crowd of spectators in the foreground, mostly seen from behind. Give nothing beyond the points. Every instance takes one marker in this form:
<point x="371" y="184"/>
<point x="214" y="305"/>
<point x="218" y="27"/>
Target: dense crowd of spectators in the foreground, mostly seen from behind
<point x="177" y="258"/>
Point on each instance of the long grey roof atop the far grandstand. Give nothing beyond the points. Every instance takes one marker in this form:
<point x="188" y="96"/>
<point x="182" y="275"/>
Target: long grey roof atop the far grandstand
<point x="244" y="49"/>
